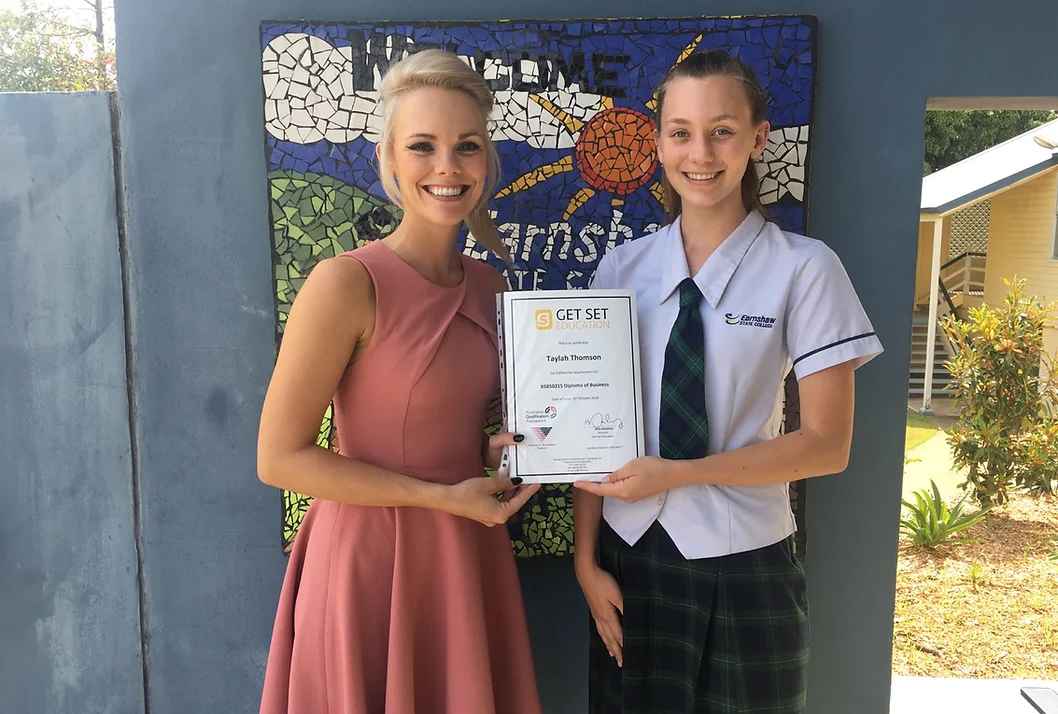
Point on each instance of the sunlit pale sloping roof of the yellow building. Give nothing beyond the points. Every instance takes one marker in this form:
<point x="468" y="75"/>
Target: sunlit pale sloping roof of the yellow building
<point x="991" y="171"/>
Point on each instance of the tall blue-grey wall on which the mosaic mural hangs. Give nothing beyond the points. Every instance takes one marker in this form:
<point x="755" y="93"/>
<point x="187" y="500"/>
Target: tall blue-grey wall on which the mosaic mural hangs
<point x="203" y="313"/>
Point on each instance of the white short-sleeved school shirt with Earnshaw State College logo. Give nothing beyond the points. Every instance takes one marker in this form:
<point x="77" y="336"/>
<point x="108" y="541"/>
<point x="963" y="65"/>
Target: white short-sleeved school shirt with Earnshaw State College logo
<point x="772" y="301"/>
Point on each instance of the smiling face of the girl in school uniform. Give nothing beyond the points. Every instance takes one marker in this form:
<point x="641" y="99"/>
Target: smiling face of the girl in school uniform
<point x="707" y="139"/>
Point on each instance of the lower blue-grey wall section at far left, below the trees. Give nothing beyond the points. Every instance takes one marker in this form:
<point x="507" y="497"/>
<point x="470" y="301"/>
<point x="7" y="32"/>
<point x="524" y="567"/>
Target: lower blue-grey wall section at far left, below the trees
<point x="69" y="609"/>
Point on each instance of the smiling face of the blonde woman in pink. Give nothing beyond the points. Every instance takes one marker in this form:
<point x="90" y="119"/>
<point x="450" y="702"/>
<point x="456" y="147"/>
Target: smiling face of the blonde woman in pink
<point x="439" y="144"/>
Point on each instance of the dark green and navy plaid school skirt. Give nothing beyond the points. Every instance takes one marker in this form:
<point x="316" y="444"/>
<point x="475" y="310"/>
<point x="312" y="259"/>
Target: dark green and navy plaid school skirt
<point x="708" y="636"/>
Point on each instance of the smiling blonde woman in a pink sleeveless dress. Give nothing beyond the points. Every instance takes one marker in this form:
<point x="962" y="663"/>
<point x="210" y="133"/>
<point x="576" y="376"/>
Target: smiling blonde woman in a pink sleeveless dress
<point x="400" y="597"/>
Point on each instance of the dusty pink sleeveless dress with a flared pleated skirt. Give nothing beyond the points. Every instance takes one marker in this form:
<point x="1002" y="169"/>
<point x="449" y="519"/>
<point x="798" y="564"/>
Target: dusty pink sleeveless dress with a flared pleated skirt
<point x="407" y="611"/>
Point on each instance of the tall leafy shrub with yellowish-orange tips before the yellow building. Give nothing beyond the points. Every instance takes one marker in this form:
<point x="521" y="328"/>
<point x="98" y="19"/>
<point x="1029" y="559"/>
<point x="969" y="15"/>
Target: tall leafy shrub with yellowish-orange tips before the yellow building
<point x="1006" y="434"/>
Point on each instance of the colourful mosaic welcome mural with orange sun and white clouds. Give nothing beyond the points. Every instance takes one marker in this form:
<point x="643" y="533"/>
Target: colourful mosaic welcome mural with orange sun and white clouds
<point x="574" y="126"/>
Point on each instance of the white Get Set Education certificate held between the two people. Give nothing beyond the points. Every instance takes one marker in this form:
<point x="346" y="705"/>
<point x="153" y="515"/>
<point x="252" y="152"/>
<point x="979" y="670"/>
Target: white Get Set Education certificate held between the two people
<point x="570" y="376"/>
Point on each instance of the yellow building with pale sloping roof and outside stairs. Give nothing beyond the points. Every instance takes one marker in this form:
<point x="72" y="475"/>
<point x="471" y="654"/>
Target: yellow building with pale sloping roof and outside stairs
<point x="990" y="217"/>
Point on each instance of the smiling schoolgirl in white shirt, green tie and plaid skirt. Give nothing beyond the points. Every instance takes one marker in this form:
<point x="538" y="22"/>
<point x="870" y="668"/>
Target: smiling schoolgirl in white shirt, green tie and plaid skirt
<point x="685" y="556"/>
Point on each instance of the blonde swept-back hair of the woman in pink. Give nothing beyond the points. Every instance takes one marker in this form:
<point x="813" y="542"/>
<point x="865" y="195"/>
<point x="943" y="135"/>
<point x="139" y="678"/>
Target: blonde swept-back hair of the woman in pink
<point x="443" y="70"/>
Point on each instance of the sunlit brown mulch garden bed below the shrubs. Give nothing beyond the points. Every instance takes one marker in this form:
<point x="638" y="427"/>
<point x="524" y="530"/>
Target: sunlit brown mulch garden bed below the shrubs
<point x="986" y="605"/>
